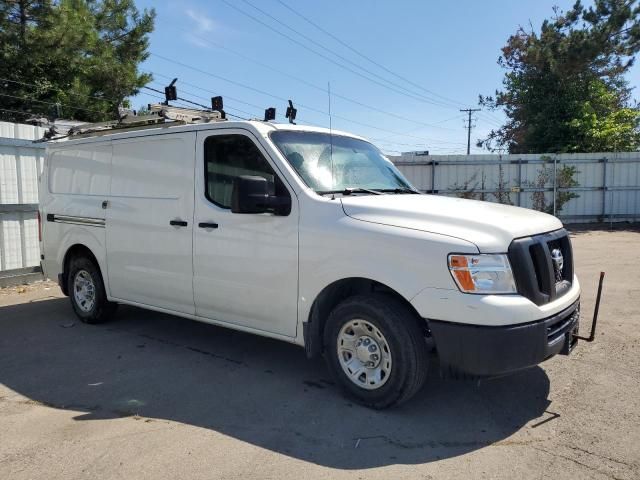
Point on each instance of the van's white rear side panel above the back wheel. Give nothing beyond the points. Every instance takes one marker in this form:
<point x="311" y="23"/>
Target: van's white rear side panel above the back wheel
<point x="73" y="186"/>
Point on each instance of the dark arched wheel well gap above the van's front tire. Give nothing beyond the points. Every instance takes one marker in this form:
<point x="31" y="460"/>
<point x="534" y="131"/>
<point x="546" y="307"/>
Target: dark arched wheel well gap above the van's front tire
<point x="337" y="292"/>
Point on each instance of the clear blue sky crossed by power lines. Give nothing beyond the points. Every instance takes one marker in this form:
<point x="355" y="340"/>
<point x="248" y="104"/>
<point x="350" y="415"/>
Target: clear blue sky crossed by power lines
<point x="447" y="50"/>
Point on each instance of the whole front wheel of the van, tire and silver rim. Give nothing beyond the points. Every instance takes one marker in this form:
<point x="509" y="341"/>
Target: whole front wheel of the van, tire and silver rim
<point x="376" y="350"/>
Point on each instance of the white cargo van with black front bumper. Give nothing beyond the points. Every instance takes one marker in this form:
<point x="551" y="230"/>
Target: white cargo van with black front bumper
<point x="308" y="236"/>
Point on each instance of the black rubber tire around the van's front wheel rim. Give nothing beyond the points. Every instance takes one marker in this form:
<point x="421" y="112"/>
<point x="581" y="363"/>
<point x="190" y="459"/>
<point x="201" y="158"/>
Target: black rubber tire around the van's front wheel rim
<point x="406" y="343"/>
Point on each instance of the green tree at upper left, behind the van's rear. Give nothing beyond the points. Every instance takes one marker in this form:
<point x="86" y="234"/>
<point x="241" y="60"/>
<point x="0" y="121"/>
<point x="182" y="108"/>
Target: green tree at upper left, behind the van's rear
<point x="75" y="58"/>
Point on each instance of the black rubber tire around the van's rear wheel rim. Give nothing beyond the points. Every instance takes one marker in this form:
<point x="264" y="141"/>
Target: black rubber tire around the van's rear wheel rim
<point x="101" y="309"/>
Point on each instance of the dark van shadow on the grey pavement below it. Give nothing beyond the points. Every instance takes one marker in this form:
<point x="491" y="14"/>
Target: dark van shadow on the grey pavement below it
<point x="257" y="390"/>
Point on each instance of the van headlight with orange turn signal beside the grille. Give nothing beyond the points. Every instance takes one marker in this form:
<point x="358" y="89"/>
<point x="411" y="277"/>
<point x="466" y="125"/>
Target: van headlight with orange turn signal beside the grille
<point x="484" y="273"/>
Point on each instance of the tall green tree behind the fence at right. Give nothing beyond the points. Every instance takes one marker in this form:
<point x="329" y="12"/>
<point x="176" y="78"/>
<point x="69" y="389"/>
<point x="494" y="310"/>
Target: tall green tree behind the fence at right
<point x="565" y="88"/>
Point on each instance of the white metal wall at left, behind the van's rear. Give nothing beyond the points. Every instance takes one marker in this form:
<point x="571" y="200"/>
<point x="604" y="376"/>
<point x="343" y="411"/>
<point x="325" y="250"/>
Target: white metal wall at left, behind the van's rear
<point x="20" y="166"/>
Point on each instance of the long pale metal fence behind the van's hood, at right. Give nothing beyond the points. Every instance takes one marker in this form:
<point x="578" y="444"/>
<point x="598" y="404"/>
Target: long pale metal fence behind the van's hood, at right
<point x="608" y="183"/>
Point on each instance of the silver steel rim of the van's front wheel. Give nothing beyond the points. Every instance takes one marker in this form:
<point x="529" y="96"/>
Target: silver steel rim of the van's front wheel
<point x="364" y="354"/>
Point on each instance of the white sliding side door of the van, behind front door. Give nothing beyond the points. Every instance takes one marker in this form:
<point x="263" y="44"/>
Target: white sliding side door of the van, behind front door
<point x="150" y="260"/>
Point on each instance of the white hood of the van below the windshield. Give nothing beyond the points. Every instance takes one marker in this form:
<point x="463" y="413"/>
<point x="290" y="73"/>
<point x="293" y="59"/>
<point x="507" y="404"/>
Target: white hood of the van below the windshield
<point x="490" y="226"/>
